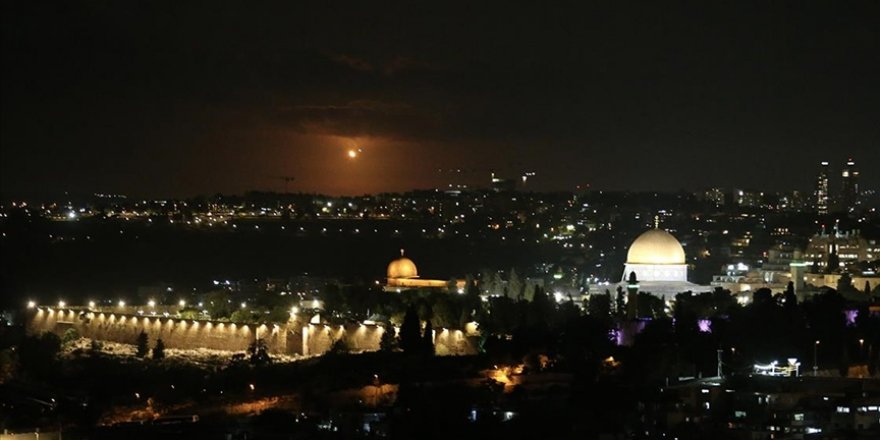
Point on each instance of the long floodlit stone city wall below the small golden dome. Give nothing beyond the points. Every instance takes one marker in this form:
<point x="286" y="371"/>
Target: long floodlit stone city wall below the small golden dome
<point x="295" y="338"/>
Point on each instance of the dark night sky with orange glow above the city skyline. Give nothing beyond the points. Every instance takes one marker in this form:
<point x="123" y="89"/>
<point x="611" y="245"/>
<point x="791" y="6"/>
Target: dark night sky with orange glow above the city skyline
<point x="155" y="98"/>
